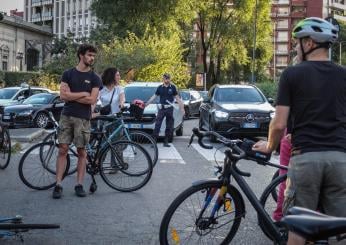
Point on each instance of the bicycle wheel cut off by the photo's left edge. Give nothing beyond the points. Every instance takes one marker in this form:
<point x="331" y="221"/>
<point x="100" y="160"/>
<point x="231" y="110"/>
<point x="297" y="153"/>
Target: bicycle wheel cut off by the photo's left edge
<point x="5" y="146"/>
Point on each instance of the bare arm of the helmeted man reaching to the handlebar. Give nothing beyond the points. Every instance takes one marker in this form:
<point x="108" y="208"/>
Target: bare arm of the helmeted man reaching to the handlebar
<point x="276" y="130"/>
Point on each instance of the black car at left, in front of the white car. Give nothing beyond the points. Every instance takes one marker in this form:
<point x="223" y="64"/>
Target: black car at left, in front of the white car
<point x="33" y="112"/>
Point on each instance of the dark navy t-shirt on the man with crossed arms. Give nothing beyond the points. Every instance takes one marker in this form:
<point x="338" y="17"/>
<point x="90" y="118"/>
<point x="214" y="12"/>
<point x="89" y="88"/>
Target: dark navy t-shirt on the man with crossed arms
<point x="79" y="82"/>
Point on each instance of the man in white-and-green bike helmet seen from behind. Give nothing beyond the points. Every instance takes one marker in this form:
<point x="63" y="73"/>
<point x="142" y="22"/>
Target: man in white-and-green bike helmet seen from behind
<point x="313" y="93"/>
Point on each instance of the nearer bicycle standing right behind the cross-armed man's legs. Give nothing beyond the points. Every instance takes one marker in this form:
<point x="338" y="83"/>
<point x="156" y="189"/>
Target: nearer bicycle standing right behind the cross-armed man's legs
<point x="118" y="163"/>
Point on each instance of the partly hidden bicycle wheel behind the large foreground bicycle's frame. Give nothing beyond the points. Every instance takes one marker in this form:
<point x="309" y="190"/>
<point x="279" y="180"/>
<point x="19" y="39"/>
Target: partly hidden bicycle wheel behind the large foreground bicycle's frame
<point x="270" y="204"/>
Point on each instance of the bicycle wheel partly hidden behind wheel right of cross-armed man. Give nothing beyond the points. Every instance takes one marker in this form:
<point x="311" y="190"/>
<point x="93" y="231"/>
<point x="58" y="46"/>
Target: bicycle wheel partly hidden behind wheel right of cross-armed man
<point x="146" y="141"/>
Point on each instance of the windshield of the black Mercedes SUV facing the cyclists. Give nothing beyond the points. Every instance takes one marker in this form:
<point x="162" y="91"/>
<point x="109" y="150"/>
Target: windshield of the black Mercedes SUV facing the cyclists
<point x="239" y="95"/>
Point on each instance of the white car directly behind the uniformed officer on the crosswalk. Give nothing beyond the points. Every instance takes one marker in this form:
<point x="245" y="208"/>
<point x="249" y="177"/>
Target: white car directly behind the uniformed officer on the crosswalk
<point x="143" y="91"/>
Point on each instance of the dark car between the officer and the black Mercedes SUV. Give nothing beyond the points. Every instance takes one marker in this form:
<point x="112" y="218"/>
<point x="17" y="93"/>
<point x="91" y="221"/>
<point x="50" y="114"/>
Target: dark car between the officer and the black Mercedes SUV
<point x="192" y="101"/>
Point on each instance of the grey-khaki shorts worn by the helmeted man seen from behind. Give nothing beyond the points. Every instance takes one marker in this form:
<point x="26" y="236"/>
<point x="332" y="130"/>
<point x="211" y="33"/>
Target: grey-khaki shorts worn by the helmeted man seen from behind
<point x="317" y="180"/>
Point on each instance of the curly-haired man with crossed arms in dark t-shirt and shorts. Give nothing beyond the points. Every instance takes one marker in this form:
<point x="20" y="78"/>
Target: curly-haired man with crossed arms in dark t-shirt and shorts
<point x="79" y="89"/>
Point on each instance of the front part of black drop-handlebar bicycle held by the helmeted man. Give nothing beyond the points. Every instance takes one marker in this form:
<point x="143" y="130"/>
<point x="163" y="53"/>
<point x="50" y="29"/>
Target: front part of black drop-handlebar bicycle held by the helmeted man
<point x="210" y="211"/>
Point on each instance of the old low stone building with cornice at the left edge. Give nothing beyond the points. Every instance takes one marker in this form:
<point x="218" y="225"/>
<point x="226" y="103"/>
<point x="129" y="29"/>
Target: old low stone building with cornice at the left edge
<point x="23" y="46"/>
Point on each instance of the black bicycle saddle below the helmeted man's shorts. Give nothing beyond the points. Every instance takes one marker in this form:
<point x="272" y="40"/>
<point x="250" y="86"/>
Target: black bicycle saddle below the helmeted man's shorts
<point x="315" y="227"/>
